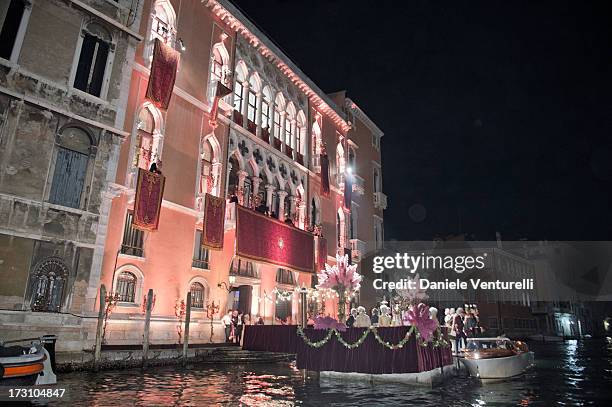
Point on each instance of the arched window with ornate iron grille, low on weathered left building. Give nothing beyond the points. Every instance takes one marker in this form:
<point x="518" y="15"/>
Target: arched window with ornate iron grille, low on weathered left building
<point x="47" y="283"/>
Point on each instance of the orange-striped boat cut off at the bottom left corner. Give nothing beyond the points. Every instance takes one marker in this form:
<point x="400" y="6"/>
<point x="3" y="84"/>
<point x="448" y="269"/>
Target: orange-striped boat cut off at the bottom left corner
<point x="28" y="365"/>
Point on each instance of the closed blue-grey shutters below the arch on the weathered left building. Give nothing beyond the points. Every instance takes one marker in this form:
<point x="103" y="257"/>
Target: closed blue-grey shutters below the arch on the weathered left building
<point x="68" y="178"/>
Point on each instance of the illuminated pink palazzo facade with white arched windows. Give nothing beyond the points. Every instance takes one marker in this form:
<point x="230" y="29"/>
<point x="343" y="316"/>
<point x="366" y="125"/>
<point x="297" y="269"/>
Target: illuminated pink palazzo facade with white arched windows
<point x="266" y="147"/>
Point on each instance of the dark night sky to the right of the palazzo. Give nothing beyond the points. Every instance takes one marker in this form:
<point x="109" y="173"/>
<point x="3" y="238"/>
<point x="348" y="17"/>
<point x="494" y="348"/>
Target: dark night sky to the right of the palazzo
<point x="497" y="114"/>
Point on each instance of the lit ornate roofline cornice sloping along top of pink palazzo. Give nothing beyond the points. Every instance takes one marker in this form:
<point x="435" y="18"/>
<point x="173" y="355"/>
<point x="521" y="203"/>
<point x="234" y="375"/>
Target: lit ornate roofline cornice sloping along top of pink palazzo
<point x="229" y="14"/>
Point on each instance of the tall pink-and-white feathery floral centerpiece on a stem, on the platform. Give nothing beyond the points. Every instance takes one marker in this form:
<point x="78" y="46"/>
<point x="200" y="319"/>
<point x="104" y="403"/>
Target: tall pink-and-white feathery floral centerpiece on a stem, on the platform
<point x="343" y="279"/>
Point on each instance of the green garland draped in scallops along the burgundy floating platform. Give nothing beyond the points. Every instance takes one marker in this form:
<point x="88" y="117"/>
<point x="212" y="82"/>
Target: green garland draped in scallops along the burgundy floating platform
<point x="438" y="340"/>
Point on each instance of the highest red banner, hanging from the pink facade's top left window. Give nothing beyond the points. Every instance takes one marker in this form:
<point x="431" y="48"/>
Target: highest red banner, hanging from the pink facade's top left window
<point x="163" y="74"/>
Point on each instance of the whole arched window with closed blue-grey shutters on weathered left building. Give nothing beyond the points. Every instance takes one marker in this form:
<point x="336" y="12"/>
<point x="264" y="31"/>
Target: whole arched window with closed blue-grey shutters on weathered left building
<point x="74" y="147"/>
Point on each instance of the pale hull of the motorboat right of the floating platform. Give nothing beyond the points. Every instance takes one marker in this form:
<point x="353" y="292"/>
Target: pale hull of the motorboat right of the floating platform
<point x="499" y="368"/>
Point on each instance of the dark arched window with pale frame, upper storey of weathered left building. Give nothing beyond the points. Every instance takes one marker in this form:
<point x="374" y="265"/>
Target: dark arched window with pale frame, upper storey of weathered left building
<point x="93" y="69"/>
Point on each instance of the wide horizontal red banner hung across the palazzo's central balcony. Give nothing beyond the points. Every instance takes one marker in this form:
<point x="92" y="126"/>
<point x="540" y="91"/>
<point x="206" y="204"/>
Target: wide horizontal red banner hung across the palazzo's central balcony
<point x="265" y="239"/>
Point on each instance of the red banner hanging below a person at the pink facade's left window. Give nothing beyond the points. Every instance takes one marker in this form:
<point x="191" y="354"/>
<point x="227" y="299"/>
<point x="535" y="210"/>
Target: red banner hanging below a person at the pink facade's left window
<point x="147" y="204"/>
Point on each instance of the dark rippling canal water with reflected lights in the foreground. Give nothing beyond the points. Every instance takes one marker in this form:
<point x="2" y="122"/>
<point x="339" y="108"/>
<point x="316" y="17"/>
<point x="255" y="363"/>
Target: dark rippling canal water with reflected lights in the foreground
<point x="566" y="374"/>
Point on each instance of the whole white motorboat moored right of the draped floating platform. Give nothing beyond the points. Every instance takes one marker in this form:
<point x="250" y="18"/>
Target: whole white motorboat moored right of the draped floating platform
<point x="496" y="358"/>
